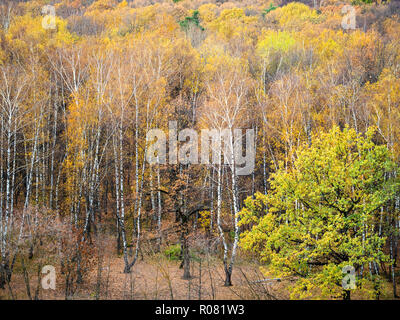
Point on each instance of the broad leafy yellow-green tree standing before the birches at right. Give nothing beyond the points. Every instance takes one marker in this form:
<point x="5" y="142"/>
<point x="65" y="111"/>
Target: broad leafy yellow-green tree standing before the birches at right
<point x="322" y="214"/>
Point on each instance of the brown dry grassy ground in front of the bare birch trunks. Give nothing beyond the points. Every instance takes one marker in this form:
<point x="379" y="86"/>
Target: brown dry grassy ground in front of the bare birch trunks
<point x="157" y="278"/>
